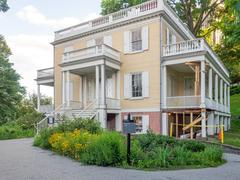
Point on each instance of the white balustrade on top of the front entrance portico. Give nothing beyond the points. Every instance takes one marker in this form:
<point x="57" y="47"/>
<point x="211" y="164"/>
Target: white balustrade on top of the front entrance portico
<point x="91" y="52"/>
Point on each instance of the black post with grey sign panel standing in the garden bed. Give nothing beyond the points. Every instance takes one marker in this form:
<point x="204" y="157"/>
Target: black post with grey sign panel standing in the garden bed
<point x="129" y="127"/>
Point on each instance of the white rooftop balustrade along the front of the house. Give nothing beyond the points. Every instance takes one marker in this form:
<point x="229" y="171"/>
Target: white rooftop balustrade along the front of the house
<point x="139" y="10"/>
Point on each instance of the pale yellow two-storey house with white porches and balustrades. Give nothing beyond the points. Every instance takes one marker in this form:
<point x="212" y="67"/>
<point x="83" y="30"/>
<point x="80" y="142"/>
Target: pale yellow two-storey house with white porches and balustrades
<point x="144" y="61"/>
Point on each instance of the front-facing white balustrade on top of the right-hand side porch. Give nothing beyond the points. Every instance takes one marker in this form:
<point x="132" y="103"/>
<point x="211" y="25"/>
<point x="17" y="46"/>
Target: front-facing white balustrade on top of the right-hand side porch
<point x="184" y="47"/>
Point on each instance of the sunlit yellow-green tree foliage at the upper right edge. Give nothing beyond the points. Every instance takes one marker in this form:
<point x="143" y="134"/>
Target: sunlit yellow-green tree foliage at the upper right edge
<point x="229" y="49"/>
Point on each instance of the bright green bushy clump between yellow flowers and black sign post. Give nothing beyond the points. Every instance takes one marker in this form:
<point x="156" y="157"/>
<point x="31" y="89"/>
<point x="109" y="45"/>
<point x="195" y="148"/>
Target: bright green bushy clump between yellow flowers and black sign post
<point x="108" y="149"/>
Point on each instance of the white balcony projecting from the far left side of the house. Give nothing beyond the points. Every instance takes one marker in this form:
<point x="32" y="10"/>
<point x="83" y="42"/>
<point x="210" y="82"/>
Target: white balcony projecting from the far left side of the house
<point x="45" y="77"/>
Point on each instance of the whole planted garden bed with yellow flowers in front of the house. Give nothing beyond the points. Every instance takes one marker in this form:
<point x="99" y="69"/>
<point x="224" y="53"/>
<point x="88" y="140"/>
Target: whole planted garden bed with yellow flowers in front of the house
<point x="108" y="148"/>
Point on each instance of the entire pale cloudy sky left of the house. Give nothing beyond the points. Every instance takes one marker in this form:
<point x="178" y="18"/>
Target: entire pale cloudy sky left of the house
<point x="28" y="27"/>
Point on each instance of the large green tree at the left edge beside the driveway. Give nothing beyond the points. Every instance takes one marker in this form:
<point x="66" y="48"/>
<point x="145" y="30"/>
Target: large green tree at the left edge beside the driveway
<point x="11" y="92"/>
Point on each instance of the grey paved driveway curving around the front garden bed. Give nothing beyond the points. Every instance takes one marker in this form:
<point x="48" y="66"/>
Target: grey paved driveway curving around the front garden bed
<point x="20" y="160"/>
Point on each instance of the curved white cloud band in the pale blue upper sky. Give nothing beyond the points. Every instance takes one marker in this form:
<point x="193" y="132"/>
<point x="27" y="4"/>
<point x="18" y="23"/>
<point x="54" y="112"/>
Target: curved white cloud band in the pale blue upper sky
<point x="32" y="15"/>
